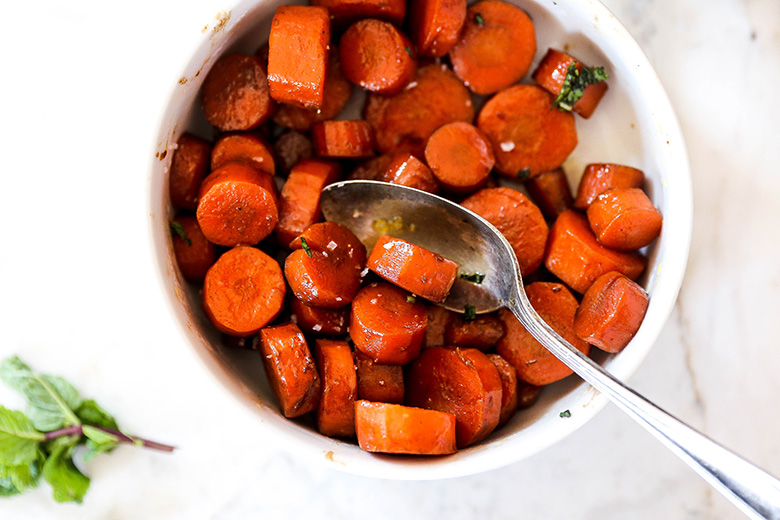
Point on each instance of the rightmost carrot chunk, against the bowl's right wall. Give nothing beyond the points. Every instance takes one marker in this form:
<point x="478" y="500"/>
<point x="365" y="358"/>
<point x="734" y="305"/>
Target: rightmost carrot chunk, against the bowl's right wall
<point x="624" y="219"/>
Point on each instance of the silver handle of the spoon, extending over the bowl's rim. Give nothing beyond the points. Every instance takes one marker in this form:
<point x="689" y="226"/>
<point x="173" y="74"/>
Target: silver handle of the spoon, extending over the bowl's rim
<point x="755" y="492"/>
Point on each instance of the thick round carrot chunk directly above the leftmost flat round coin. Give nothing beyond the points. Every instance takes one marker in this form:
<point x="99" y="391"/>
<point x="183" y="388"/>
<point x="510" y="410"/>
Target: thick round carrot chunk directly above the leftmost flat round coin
<point x="237" y="205"/>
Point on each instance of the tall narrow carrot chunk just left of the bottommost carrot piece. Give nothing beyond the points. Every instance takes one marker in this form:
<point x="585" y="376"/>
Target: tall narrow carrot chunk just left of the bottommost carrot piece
<point x="336" y="410"/>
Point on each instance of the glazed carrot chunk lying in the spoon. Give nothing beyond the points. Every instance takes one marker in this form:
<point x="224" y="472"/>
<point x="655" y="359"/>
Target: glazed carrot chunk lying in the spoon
<point x="413" y="268"/>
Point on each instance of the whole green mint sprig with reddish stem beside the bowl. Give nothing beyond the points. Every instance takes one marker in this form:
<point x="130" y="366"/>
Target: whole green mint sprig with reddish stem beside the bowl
<point x="42" y="441"/>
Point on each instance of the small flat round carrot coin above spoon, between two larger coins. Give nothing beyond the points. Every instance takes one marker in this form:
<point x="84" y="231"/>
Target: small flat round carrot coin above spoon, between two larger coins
<point x="460" y="156"/>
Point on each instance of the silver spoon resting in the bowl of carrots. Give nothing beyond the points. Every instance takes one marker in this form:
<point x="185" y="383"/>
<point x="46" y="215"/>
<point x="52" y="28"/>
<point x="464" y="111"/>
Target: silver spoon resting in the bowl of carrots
<point x="476" y="246"/>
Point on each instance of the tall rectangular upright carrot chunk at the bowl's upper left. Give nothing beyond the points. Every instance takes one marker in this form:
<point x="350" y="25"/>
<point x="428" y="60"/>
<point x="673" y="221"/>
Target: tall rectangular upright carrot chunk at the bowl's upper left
<point x="298" y="55"/>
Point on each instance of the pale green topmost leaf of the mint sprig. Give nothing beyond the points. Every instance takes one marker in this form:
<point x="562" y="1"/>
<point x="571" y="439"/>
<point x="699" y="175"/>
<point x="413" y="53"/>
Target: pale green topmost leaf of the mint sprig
<point x="51" y="400"/>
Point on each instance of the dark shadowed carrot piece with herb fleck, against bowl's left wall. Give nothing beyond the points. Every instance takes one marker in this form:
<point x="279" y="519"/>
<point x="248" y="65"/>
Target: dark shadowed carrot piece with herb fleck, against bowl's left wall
<point x="194" y="254"/>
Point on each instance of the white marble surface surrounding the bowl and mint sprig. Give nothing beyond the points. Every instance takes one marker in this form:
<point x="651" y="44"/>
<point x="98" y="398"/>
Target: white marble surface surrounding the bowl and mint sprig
<point x="82" y="85"/>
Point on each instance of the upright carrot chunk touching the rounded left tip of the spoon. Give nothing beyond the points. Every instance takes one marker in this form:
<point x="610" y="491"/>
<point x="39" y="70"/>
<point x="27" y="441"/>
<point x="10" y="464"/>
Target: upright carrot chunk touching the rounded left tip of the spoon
<point x="299" y="201"/>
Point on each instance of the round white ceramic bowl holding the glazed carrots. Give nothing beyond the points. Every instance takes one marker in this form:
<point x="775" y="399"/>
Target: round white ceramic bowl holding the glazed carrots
<point x="633" y="125"/>
